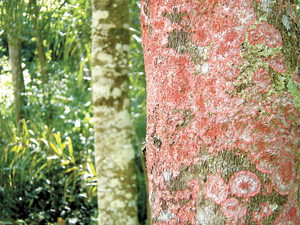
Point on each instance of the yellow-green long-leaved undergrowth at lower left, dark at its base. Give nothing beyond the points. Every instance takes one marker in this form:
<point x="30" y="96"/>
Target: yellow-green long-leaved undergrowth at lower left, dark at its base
<point x="40" y="179"/>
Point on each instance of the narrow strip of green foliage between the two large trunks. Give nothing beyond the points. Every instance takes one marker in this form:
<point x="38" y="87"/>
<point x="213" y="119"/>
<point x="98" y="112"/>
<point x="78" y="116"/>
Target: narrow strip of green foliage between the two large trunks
<point x="138" y="104"/>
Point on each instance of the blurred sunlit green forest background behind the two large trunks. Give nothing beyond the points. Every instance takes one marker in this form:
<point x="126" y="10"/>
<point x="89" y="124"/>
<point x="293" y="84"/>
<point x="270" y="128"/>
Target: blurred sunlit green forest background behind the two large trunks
<point x="47" y="170"/>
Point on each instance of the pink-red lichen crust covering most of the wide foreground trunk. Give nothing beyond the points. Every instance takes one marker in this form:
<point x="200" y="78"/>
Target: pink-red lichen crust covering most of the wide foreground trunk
<point x="224" y="114"/>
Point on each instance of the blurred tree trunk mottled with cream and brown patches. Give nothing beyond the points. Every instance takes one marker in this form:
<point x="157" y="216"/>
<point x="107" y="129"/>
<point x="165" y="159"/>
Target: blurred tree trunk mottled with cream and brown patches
<point x="113" y="127"/>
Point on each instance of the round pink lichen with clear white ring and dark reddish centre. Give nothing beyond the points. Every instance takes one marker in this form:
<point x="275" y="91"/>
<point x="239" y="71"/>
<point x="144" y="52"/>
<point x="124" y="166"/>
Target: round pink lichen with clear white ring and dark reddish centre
<point x="244" y="184"/>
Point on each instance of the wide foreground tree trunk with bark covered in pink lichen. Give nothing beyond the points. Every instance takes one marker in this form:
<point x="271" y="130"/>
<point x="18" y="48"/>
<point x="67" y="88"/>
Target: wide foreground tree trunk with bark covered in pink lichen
<point x="222" y="111"/>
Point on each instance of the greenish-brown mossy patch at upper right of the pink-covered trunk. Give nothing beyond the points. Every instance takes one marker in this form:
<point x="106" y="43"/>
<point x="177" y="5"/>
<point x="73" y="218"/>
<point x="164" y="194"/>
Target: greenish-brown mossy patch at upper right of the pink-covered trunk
<point x="290" y="44"/>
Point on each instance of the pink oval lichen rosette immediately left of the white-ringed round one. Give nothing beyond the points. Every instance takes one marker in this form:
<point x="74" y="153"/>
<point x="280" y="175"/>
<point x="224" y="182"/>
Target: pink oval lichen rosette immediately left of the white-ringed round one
<point x="216" y="189"/>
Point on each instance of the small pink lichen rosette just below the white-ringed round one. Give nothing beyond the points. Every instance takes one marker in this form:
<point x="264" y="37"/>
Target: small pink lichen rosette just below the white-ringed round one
<point x="232" y="209"/>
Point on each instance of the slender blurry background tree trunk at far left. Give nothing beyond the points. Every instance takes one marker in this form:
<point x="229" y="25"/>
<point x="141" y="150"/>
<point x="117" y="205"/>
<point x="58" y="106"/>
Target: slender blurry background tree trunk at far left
<point x="16" y="70"/>
